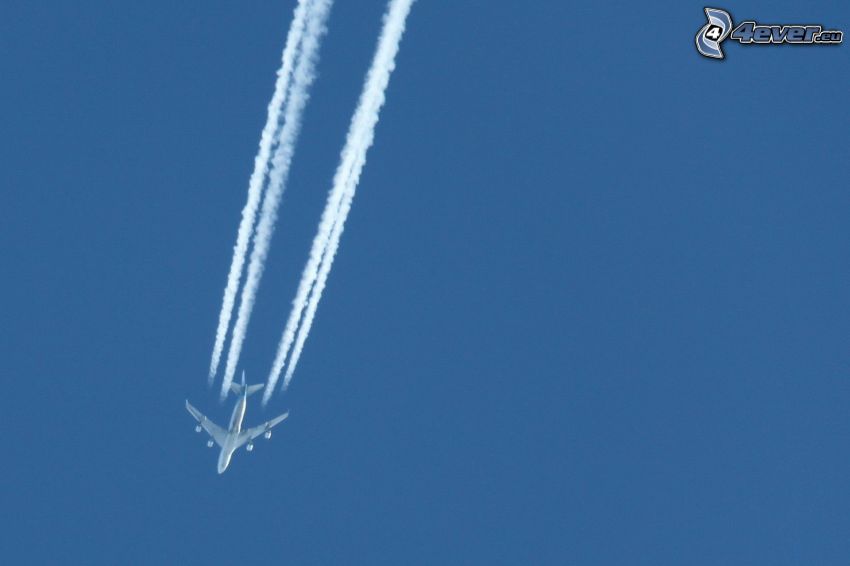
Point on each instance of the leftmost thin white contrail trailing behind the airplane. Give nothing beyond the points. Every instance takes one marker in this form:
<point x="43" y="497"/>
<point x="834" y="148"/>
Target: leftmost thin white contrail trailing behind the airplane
<point x="255" y="184"/>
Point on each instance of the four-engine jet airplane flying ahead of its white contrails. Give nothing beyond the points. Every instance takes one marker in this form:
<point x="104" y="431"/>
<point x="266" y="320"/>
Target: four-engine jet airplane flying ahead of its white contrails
<point x="232" y="438"/>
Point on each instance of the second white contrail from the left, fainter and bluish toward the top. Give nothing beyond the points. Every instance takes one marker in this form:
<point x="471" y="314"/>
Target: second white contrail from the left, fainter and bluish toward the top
<point x="302" y="79"/>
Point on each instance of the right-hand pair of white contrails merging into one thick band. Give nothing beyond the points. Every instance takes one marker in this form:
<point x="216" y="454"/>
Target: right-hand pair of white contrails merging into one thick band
<point x="361" y="134"/>
